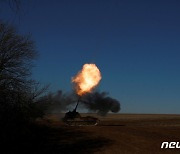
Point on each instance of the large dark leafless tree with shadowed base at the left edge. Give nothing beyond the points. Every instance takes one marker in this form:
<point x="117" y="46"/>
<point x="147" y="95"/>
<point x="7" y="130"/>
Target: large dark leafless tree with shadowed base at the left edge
<point x="18" y="92"/>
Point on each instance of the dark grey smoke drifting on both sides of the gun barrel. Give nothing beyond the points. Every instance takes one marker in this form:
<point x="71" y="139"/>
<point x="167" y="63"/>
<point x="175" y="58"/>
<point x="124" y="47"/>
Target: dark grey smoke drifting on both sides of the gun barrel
<point x="98" y="102"/>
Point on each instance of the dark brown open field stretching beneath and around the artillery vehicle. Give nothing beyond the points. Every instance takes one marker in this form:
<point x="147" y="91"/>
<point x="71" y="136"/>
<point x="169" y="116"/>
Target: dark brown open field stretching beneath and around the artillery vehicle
<point x="117" y="133"/>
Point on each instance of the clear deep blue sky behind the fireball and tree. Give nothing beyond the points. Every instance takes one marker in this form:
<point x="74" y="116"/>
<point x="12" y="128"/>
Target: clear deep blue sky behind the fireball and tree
<point x="136" y="45"/>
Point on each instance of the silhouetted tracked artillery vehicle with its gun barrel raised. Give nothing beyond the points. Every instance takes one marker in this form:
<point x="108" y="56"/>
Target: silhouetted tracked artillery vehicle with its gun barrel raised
<point x="73" y="118"/>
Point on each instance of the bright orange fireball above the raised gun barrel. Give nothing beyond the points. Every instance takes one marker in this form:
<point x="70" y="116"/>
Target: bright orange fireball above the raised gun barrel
<point x="87" y="79"/>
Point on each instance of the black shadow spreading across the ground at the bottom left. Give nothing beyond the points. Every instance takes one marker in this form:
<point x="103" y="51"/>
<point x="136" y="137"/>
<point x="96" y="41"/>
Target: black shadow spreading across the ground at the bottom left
<point x="44" y="139"/>
